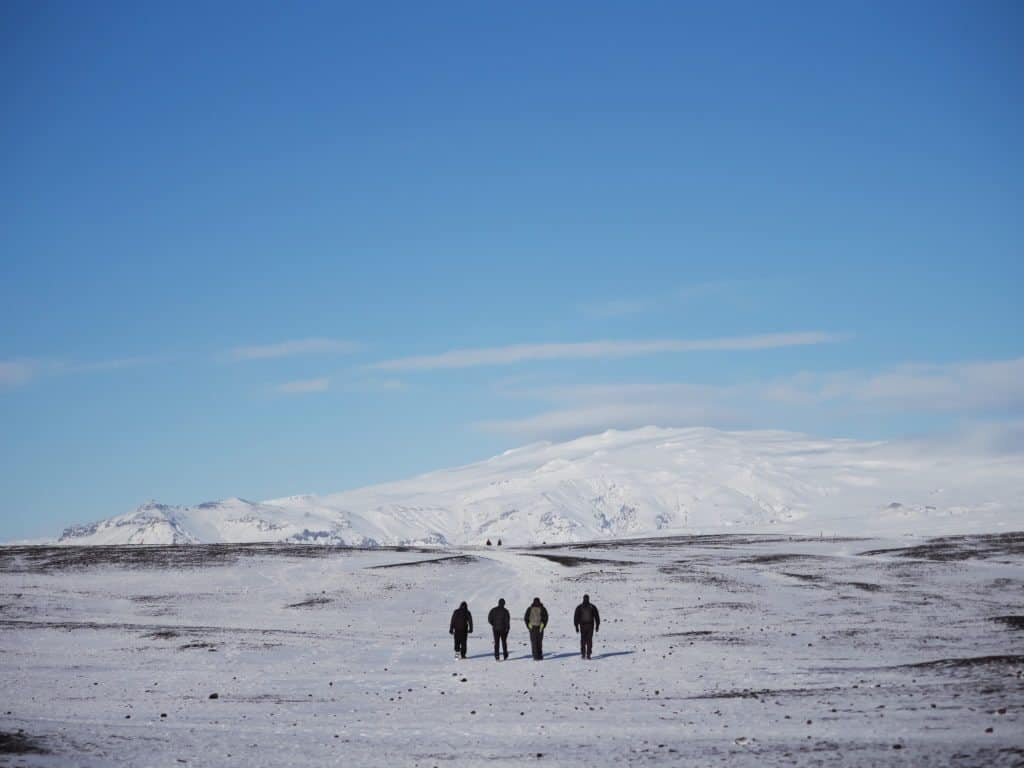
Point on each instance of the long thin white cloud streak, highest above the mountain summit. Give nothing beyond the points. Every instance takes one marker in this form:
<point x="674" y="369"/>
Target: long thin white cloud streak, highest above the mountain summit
<point x="517" y="354"/>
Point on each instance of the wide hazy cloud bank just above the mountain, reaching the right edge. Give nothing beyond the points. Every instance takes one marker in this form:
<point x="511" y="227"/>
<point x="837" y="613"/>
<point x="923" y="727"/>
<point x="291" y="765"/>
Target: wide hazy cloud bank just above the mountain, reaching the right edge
<point x="964" y="390"/>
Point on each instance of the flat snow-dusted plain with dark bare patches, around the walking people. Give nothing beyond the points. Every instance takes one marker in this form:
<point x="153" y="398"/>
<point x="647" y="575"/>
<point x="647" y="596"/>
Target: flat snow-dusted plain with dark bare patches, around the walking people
<point x="740" y="651"/>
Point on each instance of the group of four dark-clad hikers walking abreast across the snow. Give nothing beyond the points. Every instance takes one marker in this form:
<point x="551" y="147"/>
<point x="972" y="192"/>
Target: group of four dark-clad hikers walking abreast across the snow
<point x="587" y="621"/>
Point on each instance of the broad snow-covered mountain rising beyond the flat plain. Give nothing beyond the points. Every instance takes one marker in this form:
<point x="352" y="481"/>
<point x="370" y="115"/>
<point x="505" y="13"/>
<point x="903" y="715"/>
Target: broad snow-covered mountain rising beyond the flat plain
<point x="623" y="484"/>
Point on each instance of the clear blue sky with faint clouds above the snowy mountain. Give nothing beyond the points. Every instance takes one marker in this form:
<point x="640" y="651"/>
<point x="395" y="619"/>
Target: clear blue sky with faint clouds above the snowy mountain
<point x="255" y="251"/>
